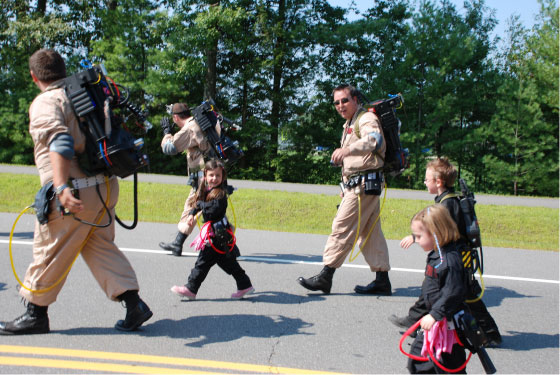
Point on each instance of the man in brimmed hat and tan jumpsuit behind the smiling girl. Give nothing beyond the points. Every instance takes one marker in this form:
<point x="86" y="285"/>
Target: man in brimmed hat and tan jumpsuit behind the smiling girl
<point x="189" y="138"/>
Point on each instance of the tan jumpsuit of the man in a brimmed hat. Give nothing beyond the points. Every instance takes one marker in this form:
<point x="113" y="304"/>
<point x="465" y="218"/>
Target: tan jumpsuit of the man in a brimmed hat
<point x="192" y="139"/>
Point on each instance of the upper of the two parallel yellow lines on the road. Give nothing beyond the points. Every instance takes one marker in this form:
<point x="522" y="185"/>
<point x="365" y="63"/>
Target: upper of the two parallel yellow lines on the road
<point x="176" y="361"/>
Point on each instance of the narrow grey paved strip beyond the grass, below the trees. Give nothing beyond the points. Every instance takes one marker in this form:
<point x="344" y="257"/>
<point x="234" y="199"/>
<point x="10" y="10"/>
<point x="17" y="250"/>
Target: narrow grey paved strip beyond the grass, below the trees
<point x="319" y="189"/>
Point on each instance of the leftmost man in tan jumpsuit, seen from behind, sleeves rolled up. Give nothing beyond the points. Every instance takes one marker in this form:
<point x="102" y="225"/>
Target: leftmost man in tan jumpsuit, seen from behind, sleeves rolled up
<point x="58" y="138"/>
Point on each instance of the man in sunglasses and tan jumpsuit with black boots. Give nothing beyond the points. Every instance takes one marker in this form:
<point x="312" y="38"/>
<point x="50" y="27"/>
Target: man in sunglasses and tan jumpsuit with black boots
<point x="360" y="153"/>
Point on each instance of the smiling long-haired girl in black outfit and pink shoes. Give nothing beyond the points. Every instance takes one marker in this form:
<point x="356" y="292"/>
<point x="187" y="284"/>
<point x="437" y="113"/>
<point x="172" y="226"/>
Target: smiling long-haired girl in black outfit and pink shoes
<point x="216" y="241"/>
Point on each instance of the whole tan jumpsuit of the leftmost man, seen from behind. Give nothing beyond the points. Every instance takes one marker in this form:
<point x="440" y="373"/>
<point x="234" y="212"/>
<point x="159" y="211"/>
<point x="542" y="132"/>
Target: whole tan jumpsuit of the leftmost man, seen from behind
<point x="56" y="244"/>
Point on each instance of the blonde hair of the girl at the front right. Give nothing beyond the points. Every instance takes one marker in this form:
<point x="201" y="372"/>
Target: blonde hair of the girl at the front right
<point x="437" y="220"/>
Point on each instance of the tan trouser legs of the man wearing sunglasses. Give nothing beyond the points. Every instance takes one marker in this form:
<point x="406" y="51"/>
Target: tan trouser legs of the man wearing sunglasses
<point x="344" y="227"/>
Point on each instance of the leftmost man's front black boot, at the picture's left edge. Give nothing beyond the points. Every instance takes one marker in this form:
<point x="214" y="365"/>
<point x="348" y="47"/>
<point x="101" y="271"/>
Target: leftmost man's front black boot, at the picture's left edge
<point x="35" y="320"/>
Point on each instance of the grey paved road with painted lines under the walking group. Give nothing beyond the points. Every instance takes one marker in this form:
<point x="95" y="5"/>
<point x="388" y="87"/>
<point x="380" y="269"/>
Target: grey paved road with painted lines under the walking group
<point x="282" y="327"/>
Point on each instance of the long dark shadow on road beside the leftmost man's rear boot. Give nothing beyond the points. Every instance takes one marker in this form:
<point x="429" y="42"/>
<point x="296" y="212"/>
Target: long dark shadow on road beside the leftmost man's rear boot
<point x="209" y="329"/>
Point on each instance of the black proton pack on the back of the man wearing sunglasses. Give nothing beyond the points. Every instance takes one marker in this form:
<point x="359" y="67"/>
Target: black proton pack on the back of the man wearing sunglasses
<point x="396" y="157"/>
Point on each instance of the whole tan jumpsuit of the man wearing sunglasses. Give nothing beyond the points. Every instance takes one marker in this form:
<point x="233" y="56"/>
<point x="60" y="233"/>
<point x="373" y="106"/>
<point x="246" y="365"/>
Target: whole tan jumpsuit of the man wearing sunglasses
<point x="345" y="224"/>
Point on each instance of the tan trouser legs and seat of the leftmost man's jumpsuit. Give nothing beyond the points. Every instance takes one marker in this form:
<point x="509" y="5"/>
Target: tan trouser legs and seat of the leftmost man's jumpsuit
<point x="56" y="244"/>
